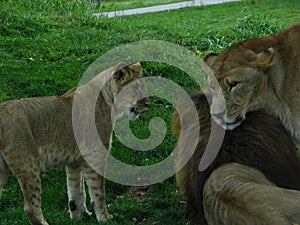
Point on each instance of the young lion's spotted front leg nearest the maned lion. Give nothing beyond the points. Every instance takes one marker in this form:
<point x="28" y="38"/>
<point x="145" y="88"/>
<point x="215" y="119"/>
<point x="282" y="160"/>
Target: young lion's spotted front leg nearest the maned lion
<point x="96" y="186"/>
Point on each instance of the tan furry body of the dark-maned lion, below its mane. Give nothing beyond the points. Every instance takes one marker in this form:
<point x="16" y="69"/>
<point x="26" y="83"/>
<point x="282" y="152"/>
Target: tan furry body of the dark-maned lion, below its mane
<point x="236" y="194"/>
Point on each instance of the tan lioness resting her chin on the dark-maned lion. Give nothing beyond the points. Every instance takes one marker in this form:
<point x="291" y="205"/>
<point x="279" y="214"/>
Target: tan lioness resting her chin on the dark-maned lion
<point x="260" y="73"/>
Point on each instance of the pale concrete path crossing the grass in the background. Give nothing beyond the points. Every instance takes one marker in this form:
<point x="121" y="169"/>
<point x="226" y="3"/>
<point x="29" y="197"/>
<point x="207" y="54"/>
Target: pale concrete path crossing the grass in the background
<point x="160" y="8"/>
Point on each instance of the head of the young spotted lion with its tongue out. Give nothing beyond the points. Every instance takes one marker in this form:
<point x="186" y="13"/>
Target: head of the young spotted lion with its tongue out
<point x="130" y="94"/>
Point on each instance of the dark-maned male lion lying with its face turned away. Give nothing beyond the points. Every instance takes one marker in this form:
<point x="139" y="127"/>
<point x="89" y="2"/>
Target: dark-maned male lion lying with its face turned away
<point x="266" y="157"/>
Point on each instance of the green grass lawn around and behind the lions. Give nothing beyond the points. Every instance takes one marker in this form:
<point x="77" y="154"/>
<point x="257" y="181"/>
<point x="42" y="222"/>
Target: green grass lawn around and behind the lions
<point x="45" y="47"/>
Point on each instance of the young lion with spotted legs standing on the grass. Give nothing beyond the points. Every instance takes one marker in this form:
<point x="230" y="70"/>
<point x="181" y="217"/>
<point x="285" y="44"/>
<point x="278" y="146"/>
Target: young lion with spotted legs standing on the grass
<point x="36" y="133"/>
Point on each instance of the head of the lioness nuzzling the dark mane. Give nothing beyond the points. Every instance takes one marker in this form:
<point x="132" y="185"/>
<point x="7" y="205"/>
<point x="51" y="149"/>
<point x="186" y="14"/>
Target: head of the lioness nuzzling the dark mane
<point x="238" y="77"/>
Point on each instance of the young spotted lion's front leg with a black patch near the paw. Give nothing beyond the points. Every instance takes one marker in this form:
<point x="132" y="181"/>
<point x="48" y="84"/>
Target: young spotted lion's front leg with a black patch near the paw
<point x="76" y="192"/>
